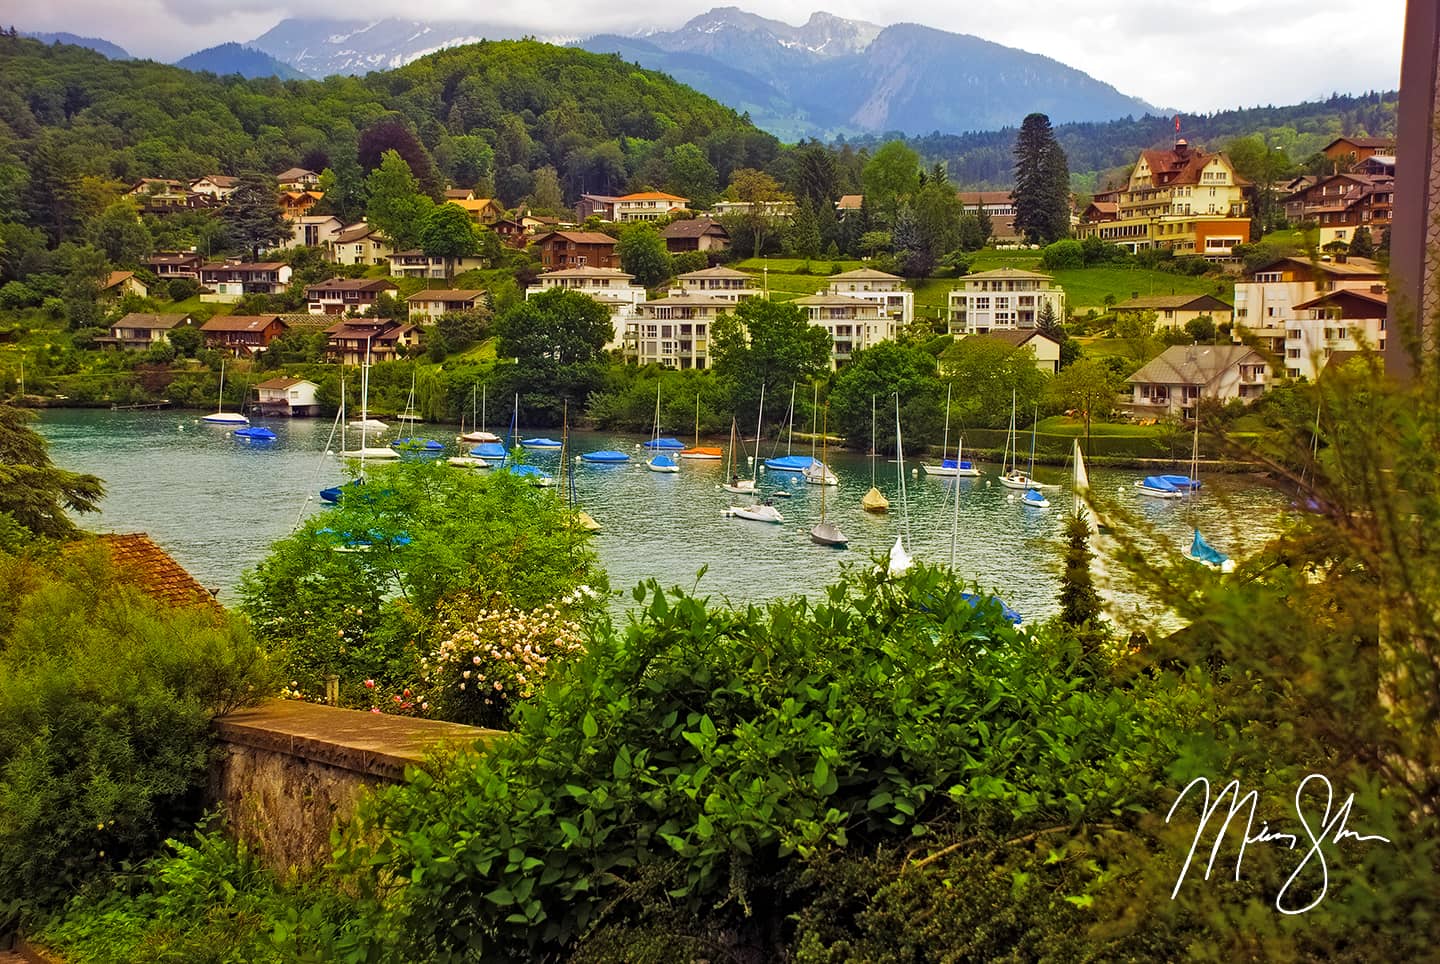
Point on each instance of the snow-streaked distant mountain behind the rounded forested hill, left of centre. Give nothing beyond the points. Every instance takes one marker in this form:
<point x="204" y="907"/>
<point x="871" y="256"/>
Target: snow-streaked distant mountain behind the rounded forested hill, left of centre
<point x="322" y="48"/>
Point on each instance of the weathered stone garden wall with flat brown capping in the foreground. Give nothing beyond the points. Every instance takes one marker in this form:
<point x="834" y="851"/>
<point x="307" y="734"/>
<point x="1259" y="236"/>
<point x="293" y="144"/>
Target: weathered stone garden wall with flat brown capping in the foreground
<point x="289" y="770"/>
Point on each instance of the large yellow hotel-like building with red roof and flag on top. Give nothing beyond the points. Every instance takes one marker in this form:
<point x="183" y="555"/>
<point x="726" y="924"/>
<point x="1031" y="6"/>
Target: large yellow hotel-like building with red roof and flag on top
<point x="1184" y="200"/>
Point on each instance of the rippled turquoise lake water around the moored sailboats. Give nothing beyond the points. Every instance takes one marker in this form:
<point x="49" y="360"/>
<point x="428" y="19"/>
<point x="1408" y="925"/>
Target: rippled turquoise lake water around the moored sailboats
<point x="217" y="504"/>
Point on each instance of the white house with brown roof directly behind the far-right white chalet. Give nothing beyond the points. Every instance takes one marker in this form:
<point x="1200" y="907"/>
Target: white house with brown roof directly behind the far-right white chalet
<point x="1266" y="300"/>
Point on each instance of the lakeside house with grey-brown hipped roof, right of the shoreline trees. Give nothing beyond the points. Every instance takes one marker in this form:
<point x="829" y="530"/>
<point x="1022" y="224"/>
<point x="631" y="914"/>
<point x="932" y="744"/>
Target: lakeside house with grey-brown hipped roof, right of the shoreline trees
<point x="1174" y="383"/>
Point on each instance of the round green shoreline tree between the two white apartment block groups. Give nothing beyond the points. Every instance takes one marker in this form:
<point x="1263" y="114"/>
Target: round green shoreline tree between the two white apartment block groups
<point x="765" y="344"/>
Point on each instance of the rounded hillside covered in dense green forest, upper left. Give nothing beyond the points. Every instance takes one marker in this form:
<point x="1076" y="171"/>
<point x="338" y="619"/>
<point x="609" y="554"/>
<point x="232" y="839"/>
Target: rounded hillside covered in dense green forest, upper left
<point x="500" y="112"/>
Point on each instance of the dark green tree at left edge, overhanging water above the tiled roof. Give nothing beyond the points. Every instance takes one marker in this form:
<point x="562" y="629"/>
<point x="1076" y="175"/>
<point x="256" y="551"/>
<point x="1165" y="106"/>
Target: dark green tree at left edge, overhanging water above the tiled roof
<point x="34" y="492"/>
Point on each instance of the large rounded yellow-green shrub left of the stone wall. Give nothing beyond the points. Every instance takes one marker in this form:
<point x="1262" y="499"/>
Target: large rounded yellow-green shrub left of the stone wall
<point x="106" y="708"/>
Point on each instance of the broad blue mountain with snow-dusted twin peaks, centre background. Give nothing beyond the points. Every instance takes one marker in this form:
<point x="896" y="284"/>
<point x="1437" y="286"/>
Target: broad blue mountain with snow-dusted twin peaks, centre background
<point x="847" y="77"/>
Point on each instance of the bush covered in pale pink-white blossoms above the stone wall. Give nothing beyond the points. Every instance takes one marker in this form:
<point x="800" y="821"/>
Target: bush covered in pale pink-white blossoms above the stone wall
<point x="490" y="656"/>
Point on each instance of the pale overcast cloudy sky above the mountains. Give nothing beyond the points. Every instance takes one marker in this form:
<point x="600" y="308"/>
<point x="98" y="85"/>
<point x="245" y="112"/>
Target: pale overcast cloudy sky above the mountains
<point x="1192" y="55"/>
